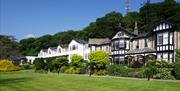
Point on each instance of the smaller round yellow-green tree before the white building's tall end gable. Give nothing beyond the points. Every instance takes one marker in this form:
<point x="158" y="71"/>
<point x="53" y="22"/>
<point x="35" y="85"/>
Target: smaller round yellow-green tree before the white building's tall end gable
<point x="76" y="60"/>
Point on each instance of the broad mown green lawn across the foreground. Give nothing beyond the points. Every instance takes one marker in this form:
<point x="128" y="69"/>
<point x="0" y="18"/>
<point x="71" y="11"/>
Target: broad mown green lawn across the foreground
<point x="27" y="81"/>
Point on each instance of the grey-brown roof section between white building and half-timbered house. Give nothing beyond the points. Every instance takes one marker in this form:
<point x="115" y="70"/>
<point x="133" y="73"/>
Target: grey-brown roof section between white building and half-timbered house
<point x="99" y="41"/>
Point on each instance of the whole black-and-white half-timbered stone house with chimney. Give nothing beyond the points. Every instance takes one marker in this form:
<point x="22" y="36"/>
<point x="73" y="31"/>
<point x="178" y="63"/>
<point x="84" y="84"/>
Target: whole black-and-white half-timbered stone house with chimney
<point x="160" y="43"/>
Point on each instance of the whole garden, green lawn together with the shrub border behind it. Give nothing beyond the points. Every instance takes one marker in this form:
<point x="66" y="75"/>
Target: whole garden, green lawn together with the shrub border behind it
<point x="54" y="74"/>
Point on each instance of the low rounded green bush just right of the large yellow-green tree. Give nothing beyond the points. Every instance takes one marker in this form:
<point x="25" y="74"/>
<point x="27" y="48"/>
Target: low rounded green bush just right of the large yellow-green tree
<point x="117" y="70"/>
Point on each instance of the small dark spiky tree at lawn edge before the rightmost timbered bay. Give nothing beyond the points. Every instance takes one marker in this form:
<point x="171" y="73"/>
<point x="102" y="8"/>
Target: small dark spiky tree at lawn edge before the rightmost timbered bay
<point x="150" y="69"/>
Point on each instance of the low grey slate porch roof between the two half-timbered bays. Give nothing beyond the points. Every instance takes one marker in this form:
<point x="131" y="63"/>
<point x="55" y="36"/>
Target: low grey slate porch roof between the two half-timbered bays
<point x="144" y="50"/>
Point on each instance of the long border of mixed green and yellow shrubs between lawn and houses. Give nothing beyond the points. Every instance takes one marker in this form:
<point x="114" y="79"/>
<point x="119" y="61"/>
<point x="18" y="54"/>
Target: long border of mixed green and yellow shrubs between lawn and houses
<point x="98" y="65"/>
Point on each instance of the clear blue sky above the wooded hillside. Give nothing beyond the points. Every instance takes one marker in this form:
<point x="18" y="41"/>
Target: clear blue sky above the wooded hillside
<point x="34" y="18"/>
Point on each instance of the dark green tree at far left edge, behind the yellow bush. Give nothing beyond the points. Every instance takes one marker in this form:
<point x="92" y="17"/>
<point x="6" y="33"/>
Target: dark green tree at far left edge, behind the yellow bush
<point x="8" y="47"/>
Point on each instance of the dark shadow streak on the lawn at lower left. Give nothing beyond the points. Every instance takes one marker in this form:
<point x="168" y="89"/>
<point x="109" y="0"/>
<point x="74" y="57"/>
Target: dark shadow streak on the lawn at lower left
<point x="14" y="80"/>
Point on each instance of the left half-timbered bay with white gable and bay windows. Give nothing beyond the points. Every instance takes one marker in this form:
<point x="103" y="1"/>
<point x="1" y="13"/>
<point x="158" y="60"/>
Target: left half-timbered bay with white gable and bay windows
<point x="120" y="45"/>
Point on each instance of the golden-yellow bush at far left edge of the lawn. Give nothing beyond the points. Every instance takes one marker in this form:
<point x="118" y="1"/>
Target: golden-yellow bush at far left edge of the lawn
<point x="6" y="65"/>
